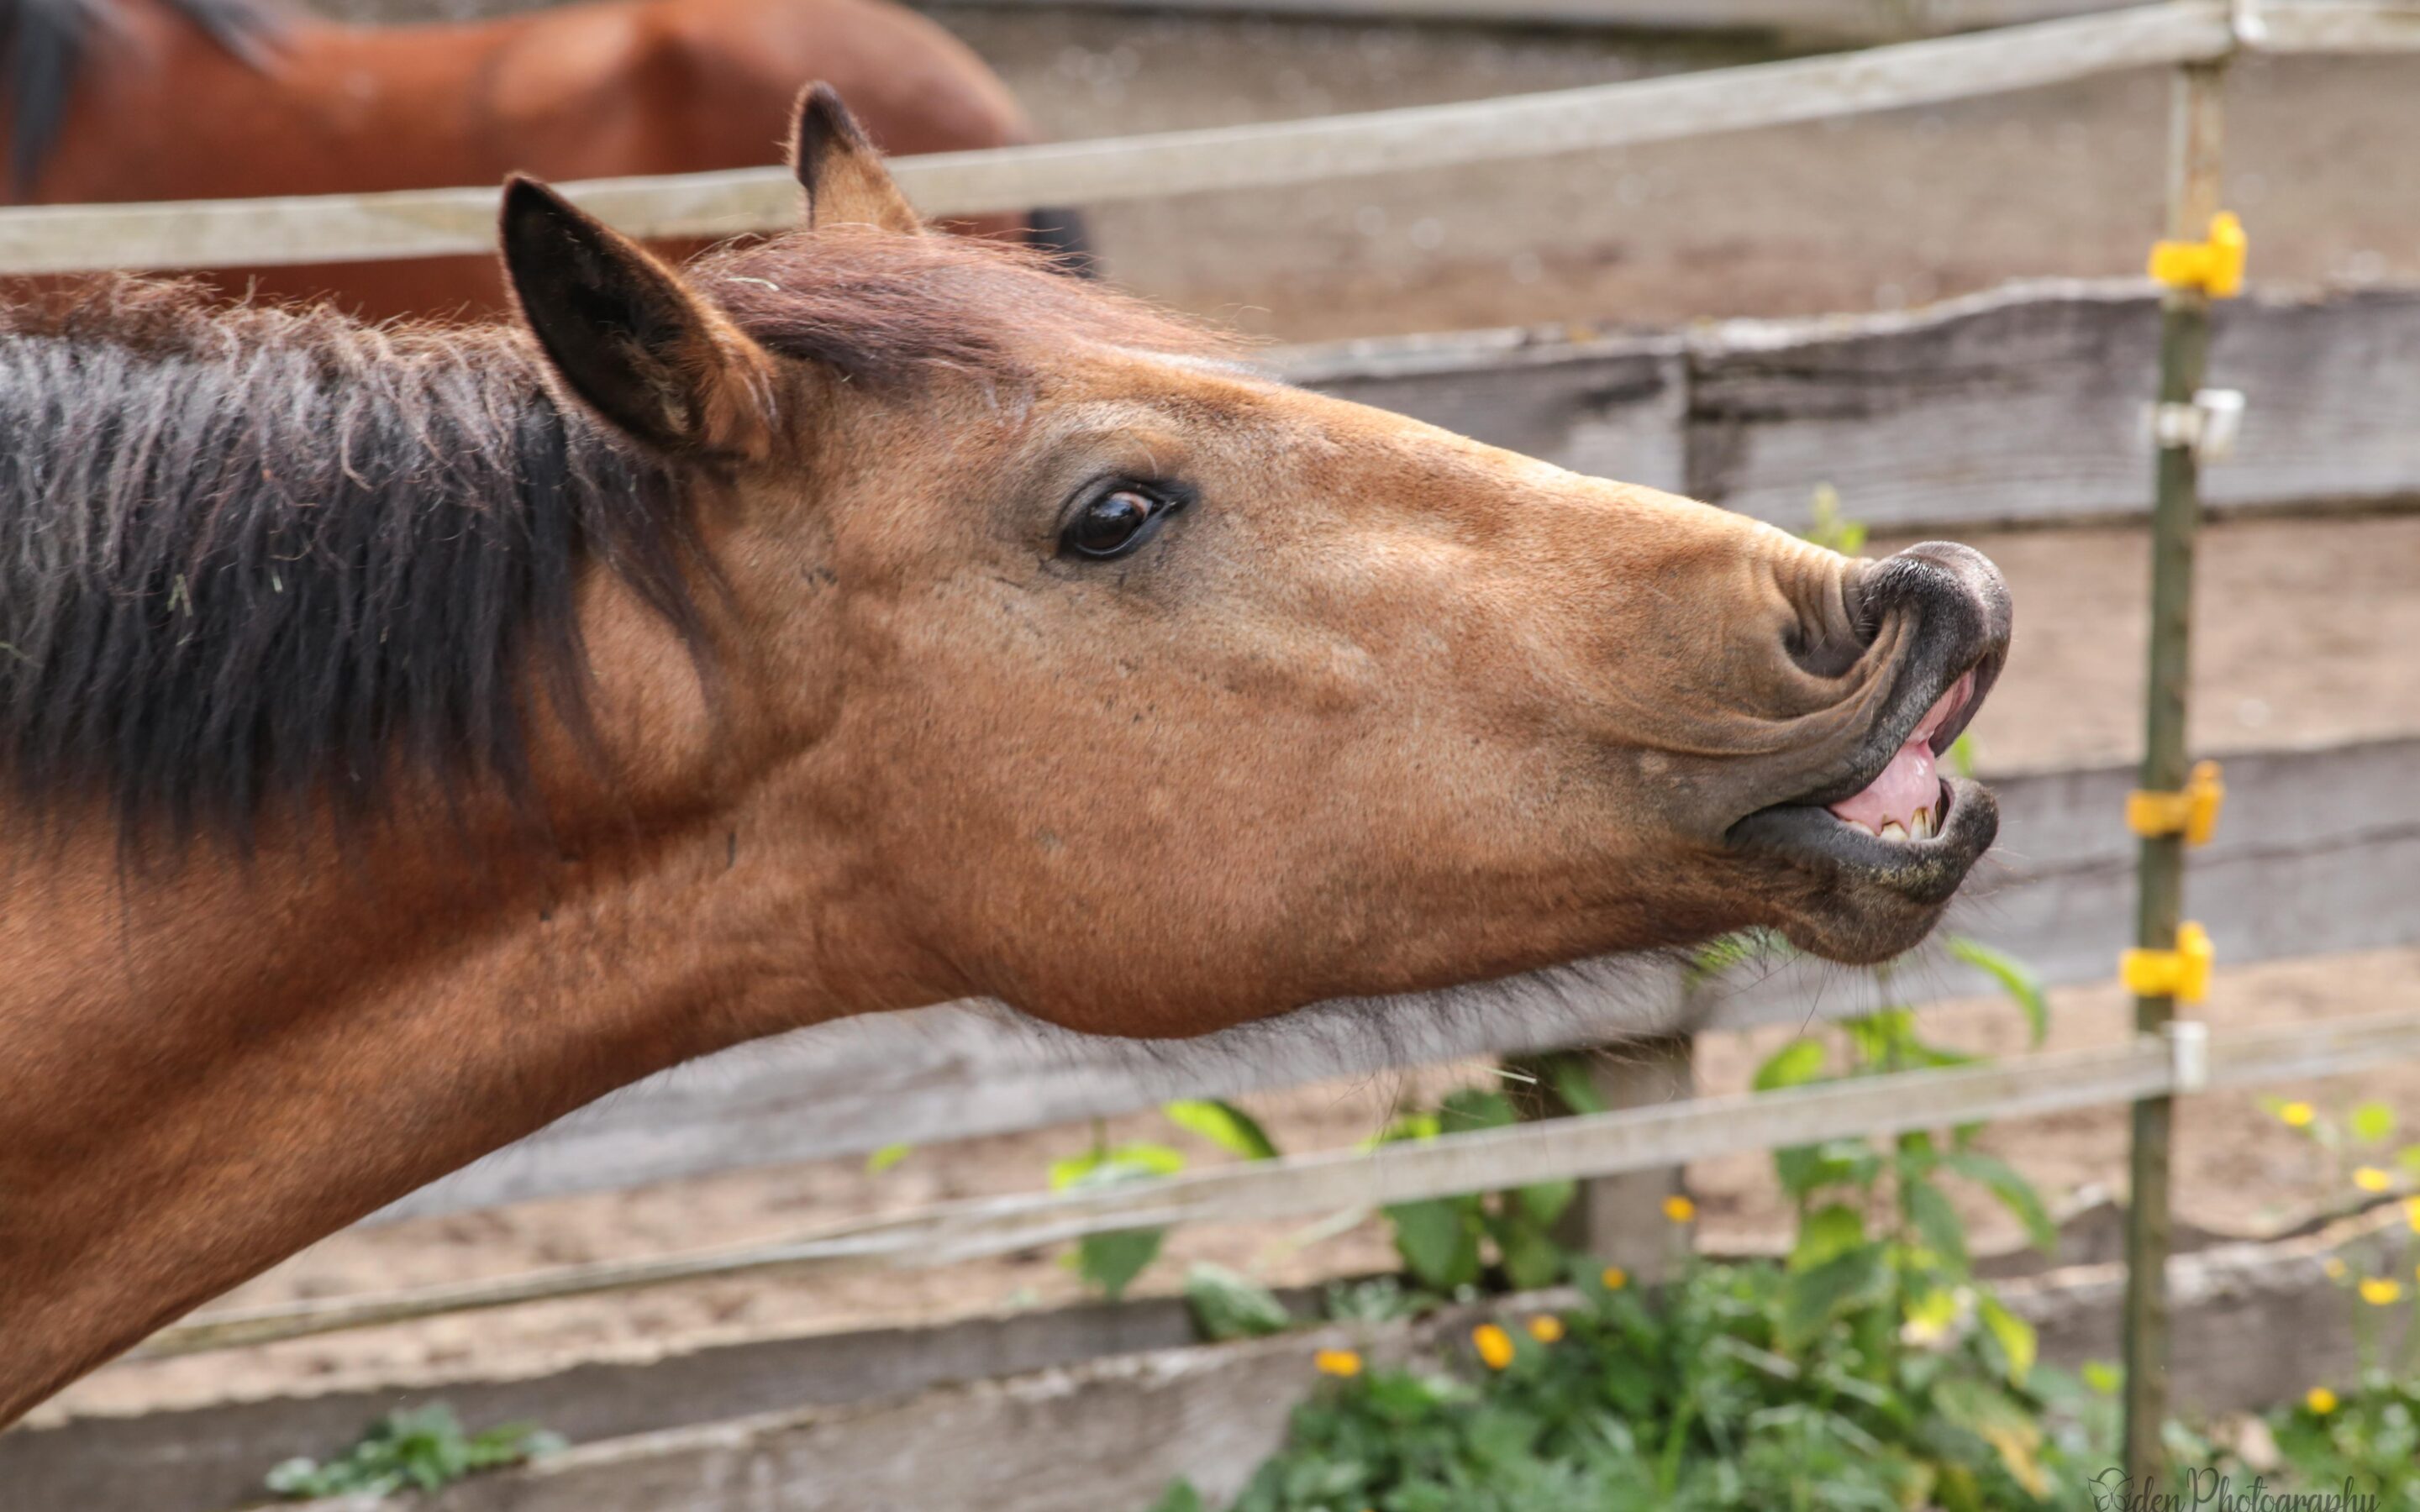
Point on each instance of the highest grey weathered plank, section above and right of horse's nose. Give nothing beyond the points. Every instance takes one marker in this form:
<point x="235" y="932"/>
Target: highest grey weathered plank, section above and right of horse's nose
<point x="2027" y="405"/>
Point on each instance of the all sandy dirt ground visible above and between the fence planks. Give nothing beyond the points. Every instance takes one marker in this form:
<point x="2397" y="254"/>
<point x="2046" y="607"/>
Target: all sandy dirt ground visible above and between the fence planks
<point x="2303" y="637"/>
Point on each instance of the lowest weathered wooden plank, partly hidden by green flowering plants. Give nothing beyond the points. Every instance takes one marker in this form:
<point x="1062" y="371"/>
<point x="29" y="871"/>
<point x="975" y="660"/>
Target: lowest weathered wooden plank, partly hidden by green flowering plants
<point x="2254" y="1325"/>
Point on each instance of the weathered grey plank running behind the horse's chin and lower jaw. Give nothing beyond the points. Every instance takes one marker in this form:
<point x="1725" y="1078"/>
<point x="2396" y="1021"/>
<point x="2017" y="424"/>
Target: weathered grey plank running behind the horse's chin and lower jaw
<point x="2310" y="848"/>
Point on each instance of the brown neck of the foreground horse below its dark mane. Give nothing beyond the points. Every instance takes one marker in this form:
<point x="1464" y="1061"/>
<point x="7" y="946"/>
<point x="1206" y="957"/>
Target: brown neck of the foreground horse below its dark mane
<point x="207" y="1073"/>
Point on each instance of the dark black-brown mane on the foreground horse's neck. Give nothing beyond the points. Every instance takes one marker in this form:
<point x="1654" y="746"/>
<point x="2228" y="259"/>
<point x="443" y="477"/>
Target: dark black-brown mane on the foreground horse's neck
<point x="265" y="555"/>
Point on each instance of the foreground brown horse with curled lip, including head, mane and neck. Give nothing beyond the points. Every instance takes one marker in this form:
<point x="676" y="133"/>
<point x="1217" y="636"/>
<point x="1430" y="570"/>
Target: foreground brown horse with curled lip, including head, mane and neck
<point x="846" y="623"/>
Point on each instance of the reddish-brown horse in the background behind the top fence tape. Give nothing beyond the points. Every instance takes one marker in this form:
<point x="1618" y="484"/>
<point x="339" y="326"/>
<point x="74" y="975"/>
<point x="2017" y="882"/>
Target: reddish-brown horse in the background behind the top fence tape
<point x="161" y="100"/>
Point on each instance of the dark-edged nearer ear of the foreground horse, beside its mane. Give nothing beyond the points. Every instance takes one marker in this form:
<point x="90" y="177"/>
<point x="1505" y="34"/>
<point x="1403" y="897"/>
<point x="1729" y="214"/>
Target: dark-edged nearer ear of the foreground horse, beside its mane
<point x="628" y="335"/>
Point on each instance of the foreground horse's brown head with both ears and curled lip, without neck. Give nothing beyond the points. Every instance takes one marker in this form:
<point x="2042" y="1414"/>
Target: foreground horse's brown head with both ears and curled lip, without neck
<point x="1153" y="696"/>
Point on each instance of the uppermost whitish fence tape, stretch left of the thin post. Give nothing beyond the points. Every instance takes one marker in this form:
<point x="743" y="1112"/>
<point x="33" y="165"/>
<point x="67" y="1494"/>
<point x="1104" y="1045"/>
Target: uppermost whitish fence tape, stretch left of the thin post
<point x="722" y="204"/>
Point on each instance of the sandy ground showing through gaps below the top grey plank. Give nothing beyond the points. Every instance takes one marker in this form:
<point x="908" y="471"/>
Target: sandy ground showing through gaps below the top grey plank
<point x="2303" y="640"/>
